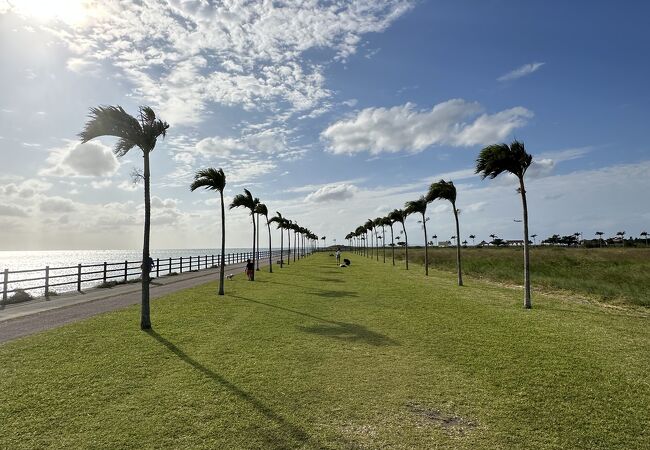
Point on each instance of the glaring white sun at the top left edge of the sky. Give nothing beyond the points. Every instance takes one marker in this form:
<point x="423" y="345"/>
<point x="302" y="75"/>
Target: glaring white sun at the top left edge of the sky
<point x="72" y="12"/>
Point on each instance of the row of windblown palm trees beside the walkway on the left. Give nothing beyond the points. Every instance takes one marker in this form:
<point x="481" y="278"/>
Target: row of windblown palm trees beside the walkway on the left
<point x="143" y="132"/>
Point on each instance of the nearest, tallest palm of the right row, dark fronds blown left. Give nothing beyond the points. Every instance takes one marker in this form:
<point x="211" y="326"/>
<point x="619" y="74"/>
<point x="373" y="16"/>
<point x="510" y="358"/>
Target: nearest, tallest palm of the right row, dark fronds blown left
<point x="496" y="159"/>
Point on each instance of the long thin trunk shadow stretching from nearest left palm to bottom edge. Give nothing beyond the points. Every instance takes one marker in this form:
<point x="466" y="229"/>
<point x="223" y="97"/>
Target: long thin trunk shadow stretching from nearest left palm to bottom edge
<point x="298" y="437"/>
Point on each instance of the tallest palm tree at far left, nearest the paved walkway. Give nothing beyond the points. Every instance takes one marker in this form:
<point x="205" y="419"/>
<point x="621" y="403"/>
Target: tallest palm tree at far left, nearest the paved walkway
<point x="142" y="132"/>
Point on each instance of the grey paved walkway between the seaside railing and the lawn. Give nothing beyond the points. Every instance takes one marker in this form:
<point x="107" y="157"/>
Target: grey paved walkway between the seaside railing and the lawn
<point x="31" y="317"/>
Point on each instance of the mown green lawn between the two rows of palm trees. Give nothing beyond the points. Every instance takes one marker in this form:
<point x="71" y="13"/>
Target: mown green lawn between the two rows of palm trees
<point x="315" y="356"/>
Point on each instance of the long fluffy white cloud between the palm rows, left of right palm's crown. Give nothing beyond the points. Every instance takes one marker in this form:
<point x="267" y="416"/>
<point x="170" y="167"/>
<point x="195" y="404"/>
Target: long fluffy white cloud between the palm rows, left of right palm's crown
<point x="402" y="128"/>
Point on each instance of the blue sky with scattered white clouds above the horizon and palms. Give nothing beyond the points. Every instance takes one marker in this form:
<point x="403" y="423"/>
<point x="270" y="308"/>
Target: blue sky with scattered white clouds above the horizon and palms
<point x="331" y="112"/>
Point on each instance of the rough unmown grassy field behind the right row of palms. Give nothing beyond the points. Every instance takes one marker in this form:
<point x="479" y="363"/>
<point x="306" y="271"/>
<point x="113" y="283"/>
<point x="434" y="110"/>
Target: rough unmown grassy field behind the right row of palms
<point x="610" y="275"/>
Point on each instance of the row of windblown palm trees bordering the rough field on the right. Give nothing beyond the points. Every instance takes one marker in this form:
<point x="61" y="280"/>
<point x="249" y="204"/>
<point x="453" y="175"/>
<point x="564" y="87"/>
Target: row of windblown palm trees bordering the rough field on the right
<point x="492" y="161"/>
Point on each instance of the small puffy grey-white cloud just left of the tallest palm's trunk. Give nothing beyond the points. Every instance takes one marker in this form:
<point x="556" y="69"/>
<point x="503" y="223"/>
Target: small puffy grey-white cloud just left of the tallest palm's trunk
<point x="92" y="159"/>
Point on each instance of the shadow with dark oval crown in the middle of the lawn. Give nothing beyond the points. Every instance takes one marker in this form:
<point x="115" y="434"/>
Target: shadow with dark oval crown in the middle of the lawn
<point x="349" y="332"/>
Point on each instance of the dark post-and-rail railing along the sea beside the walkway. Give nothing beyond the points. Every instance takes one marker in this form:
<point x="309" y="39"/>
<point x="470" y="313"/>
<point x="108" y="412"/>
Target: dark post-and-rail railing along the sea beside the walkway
<point x="93" y="275"/>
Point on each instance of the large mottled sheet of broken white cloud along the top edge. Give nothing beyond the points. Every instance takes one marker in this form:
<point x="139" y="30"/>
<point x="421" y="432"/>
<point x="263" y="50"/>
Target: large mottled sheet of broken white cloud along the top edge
<point x="257" y="52"/>
